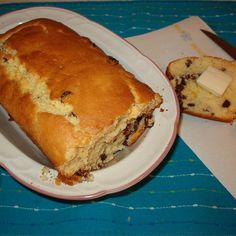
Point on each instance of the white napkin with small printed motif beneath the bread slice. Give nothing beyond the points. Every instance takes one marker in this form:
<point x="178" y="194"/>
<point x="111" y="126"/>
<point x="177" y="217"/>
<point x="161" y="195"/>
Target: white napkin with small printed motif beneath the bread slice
<point x="213" y="142"/>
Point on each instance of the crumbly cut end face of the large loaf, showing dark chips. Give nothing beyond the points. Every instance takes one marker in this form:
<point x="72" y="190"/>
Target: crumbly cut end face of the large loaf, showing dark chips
<point x="124" y="132"/>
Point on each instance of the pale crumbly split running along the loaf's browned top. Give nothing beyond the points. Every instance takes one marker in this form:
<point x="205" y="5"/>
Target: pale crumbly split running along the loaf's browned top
<point x="33" y="85"/>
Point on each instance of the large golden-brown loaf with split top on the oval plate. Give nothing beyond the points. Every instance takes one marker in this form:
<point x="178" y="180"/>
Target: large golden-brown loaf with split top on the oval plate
<point x="77" y="104"/>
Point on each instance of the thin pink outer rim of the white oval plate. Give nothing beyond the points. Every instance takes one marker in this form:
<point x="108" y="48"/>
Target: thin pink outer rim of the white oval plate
<point x="101" y="193"/>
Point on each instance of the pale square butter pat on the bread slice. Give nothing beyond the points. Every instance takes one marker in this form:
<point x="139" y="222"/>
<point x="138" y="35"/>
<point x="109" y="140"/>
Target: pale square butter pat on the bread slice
<point x="214" y="80"/>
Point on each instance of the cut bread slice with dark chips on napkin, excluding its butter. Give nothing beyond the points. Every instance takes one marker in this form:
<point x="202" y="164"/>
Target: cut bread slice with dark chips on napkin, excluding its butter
<point x="195" y="99"/>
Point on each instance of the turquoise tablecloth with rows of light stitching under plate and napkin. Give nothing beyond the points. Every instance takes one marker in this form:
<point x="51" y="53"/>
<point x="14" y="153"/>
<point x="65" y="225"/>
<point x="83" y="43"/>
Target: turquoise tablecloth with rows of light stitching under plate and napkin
<point x="181" y="197"/>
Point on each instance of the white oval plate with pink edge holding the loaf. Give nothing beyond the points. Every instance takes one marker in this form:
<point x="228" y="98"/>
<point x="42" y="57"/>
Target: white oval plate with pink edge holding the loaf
<point x="22" y="159"/>
